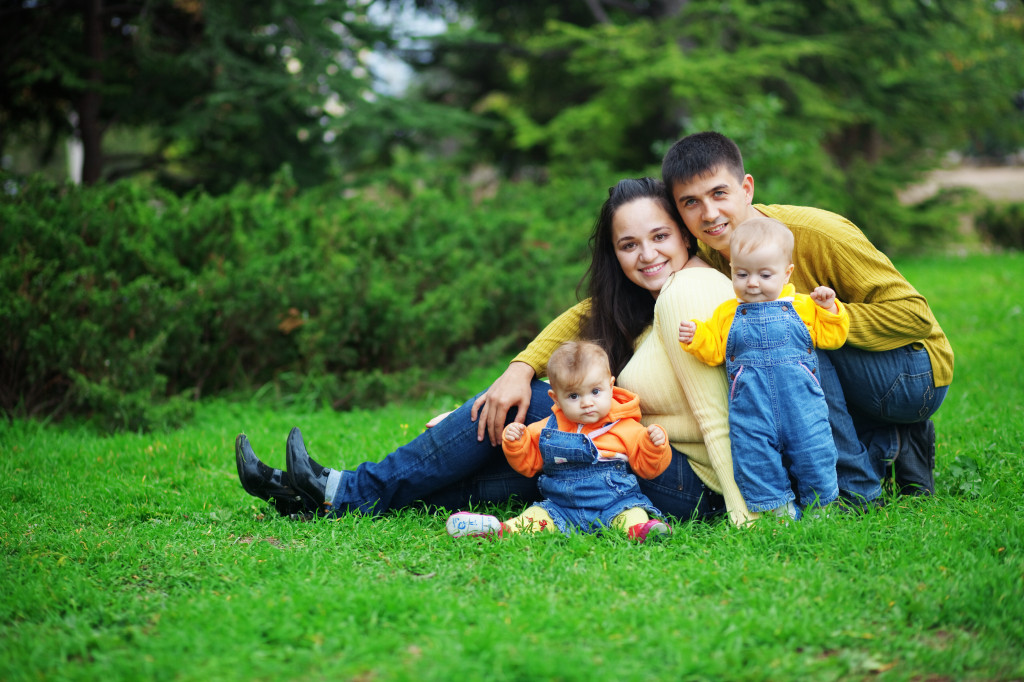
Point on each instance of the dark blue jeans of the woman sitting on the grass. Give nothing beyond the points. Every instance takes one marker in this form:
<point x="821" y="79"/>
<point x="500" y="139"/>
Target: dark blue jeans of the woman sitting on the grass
<point x="447" y="466"/>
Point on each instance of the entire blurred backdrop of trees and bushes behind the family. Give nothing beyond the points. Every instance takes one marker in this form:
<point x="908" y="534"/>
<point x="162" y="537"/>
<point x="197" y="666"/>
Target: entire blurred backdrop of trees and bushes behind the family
<point x="343" y="199"/>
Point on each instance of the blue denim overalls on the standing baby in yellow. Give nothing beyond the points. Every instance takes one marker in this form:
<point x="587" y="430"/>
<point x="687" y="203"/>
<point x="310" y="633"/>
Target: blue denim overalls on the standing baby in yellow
<point x="779" y="419"/>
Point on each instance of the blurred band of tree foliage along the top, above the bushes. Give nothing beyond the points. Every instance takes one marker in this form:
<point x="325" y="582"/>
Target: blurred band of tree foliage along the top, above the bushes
<point x="231" y="91"/>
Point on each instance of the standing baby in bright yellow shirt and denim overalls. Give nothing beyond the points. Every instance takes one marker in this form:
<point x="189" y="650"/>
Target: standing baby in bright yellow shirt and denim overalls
<point x="779" y="419"/>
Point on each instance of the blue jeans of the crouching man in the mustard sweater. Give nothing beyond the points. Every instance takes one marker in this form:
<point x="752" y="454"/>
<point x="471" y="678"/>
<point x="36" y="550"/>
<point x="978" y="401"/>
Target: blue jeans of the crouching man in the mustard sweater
<point x="872" y="397"/>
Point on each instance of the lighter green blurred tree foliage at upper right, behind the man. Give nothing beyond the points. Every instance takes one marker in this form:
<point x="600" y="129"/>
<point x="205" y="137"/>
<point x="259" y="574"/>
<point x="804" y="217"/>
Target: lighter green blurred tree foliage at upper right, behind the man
<point x="616" y="80"/>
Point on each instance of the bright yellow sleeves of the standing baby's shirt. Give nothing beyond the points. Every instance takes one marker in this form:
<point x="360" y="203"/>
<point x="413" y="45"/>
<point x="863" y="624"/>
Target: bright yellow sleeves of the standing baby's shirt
<point x="829" y="330"/>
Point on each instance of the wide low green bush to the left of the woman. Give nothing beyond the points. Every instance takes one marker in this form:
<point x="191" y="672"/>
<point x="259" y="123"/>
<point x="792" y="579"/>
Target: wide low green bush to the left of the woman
<point x="125" y="302"/>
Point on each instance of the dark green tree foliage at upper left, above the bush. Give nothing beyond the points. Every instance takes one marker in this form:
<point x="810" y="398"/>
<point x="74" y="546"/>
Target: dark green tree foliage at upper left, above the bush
<point x="228" y="91"/>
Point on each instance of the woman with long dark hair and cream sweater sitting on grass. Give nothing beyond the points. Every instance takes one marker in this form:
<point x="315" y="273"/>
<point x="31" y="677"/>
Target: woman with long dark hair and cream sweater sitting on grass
<point x="645" y="278"/>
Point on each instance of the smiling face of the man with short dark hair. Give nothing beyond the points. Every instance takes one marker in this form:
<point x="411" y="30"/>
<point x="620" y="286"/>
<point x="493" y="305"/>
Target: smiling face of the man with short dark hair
<point x="713" y="204"/>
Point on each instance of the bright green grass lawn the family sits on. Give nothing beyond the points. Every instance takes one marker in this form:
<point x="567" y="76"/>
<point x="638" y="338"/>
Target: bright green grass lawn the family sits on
<point x="141" y="558"/>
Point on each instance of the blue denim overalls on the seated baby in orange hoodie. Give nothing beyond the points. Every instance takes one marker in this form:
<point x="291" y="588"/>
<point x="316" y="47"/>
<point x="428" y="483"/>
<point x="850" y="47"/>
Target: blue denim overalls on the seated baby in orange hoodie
<point x="582" y="490"/>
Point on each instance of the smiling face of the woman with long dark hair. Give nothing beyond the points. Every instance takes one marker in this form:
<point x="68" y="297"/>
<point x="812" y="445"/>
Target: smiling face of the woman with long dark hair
<point x="649" y="244"/>
